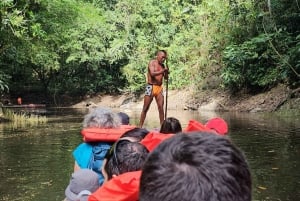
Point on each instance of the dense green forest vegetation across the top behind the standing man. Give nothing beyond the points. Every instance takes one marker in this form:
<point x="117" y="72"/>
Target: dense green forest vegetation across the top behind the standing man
<point x="52" y="48"/>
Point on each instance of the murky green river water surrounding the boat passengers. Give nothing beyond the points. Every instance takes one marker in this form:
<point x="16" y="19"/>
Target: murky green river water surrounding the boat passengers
<point x="36" y="161"/>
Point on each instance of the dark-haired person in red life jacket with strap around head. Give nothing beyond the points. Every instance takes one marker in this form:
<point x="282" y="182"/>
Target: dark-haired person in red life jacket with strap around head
<point x="121" y="170"/>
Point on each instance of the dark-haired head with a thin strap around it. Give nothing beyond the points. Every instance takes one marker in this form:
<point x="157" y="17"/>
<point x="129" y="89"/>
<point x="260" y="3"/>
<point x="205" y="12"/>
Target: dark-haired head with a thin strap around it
<point x="125" y="156"/>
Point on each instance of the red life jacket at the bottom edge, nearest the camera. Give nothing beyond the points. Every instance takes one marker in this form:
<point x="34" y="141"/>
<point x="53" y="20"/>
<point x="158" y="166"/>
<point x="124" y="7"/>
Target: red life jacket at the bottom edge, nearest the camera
<point x="124" y="187"/>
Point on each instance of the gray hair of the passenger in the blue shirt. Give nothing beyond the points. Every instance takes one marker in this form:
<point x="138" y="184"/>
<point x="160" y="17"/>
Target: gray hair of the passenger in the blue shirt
<point x="101" y="118"/>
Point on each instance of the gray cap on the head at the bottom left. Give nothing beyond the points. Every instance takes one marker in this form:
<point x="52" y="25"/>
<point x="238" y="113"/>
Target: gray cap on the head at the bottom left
<point x="83" y="182"/>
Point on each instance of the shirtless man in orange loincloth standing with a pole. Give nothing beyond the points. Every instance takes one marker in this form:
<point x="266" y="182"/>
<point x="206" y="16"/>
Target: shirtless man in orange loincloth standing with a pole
<point x="154" y="89"/>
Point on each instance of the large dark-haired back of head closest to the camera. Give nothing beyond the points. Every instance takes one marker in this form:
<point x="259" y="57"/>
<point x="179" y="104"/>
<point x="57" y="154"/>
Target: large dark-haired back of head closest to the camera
<point x="196" y="167"/>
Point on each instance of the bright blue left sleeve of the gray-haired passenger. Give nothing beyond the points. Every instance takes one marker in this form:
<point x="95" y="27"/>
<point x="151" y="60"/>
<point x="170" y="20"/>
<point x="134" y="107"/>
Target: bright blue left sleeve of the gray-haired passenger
<point x="82" y="154"/>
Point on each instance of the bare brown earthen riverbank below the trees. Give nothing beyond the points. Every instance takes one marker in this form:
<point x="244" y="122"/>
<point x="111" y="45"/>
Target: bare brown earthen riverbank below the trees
<point x="278" y="98"/>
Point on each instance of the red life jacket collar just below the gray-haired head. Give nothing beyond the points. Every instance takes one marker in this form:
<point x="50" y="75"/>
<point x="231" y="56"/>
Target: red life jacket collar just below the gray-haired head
<point x="104" y="134"/>
